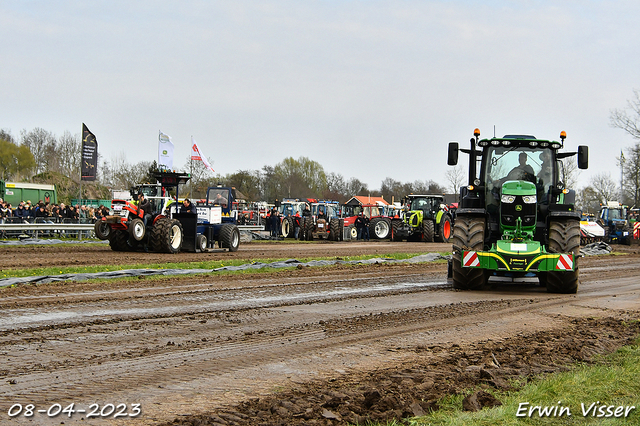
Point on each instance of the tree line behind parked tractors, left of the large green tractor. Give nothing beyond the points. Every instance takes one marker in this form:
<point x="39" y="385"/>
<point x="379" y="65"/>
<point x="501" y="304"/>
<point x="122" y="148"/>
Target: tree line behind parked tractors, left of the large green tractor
<point x="41" y="157"/>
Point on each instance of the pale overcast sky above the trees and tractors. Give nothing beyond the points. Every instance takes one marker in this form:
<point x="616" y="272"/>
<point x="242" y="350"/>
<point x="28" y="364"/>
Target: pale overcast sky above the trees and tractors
<point x="369" y="89"/>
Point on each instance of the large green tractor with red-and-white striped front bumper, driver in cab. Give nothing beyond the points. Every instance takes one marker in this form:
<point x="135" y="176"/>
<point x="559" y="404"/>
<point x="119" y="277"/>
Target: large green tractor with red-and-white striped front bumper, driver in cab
<point x="515" y="218"/>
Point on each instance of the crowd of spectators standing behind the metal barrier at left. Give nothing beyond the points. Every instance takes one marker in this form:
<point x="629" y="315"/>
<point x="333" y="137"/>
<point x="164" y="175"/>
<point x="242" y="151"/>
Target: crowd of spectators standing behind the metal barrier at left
<point x="47" y="212"/>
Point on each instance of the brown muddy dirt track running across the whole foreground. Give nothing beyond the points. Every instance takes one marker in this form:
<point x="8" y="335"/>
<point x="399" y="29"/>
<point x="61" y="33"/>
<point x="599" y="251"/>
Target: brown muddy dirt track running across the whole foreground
<point x="303" y="346"/>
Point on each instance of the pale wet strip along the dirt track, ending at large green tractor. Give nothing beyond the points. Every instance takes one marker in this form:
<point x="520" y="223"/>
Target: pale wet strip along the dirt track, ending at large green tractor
<point x="216" y="301"/>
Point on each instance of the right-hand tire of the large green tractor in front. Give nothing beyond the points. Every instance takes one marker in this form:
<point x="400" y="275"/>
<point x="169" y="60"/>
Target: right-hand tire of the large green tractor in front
<point x="564" y="237"/>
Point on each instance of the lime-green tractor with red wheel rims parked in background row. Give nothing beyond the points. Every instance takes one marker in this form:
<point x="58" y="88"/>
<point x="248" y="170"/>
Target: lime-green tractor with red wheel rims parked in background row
<point x="423" y="218"/>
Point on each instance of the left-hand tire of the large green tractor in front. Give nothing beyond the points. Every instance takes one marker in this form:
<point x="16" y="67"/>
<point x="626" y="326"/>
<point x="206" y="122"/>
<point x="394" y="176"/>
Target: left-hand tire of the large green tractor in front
<point x="468" y="234"/>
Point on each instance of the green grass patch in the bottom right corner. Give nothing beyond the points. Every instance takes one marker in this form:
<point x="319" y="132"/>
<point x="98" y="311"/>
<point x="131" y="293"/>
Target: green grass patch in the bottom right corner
<point x="614" y="380"/>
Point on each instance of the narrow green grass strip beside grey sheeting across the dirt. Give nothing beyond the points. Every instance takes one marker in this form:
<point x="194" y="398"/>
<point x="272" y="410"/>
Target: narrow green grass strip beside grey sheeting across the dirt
<point x="28" y="272"/>
